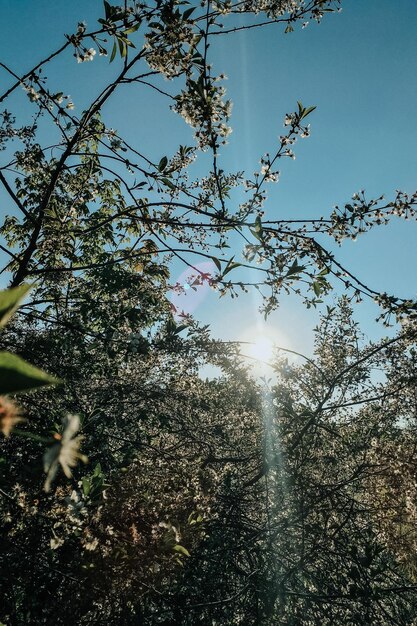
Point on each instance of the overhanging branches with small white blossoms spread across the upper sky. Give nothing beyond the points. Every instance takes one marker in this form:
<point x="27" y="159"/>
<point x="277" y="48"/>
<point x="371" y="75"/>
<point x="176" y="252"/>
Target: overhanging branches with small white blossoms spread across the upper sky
<point x="73" y="198"/>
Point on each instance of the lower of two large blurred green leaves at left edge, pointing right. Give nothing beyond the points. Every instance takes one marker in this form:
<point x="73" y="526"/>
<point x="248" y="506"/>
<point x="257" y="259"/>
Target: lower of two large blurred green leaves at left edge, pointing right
<point x="18" y="375"/>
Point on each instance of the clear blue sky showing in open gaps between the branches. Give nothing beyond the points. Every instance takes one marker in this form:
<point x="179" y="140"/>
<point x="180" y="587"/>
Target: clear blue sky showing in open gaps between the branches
<point x="358" y="67"/>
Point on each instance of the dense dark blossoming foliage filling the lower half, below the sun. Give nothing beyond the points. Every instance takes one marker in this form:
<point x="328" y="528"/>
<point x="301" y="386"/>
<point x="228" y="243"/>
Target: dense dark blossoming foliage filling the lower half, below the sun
<point x="226" y="500"/>
